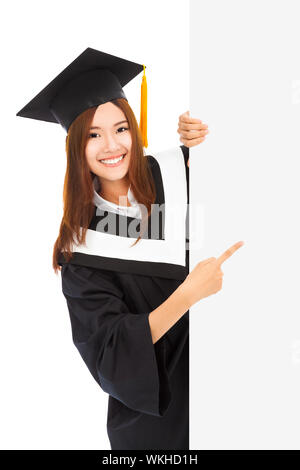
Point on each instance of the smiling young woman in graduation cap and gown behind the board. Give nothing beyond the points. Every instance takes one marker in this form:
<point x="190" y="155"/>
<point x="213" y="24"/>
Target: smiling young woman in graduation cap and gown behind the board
<point x="123" y="256"/>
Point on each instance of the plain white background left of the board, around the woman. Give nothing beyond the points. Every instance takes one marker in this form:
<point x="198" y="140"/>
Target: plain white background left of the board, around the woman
<point x="49" y="400"/>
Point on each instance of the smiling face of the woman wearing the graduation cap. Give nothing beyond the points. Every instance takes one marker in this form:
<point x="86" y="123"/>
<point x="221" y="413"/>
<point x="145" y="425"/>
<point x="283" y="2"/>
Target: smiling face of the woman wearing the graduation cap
<point x="109" y="137"/>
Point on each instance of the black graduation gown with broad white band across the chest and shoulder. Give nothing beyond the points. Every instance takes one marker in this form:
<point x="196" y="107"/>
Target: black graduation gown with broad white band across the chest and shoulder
<point x="109" y="301"/>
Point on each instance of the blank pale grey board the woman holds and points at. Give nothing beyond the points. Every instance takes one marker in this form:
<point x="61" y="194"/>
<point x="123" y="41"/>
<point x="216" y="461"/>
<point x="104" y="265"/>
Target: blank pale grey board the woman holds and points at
<point x="245" y="340"/>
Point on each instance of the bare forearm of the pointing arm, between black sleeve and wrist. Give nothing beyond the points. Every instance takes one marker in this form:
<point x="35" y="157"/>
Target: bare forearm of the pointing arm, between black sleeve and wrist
<point x="169" y="312"/>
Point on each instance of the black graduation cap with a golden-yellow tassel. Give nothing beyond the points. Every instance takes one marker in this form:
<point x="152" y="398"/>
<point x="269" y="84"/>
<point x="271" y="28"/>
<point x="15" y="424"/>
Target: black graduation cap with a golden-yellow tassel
<point x="93" y="78"/>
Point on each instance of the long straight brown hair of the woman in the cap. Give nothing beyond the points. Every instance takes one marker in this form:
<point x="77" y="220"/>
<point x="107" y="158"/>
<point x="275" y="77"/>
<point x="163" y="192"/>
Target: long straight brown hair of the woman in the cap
<point x="78" y="189"/>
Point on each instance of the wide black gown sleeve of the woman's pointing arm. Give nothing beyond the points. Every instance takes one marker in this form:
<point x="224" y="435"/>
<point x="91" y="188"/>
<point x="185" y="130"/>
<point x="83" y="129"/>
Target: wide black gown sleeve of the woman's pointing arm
<point x="115" y="344"/>
